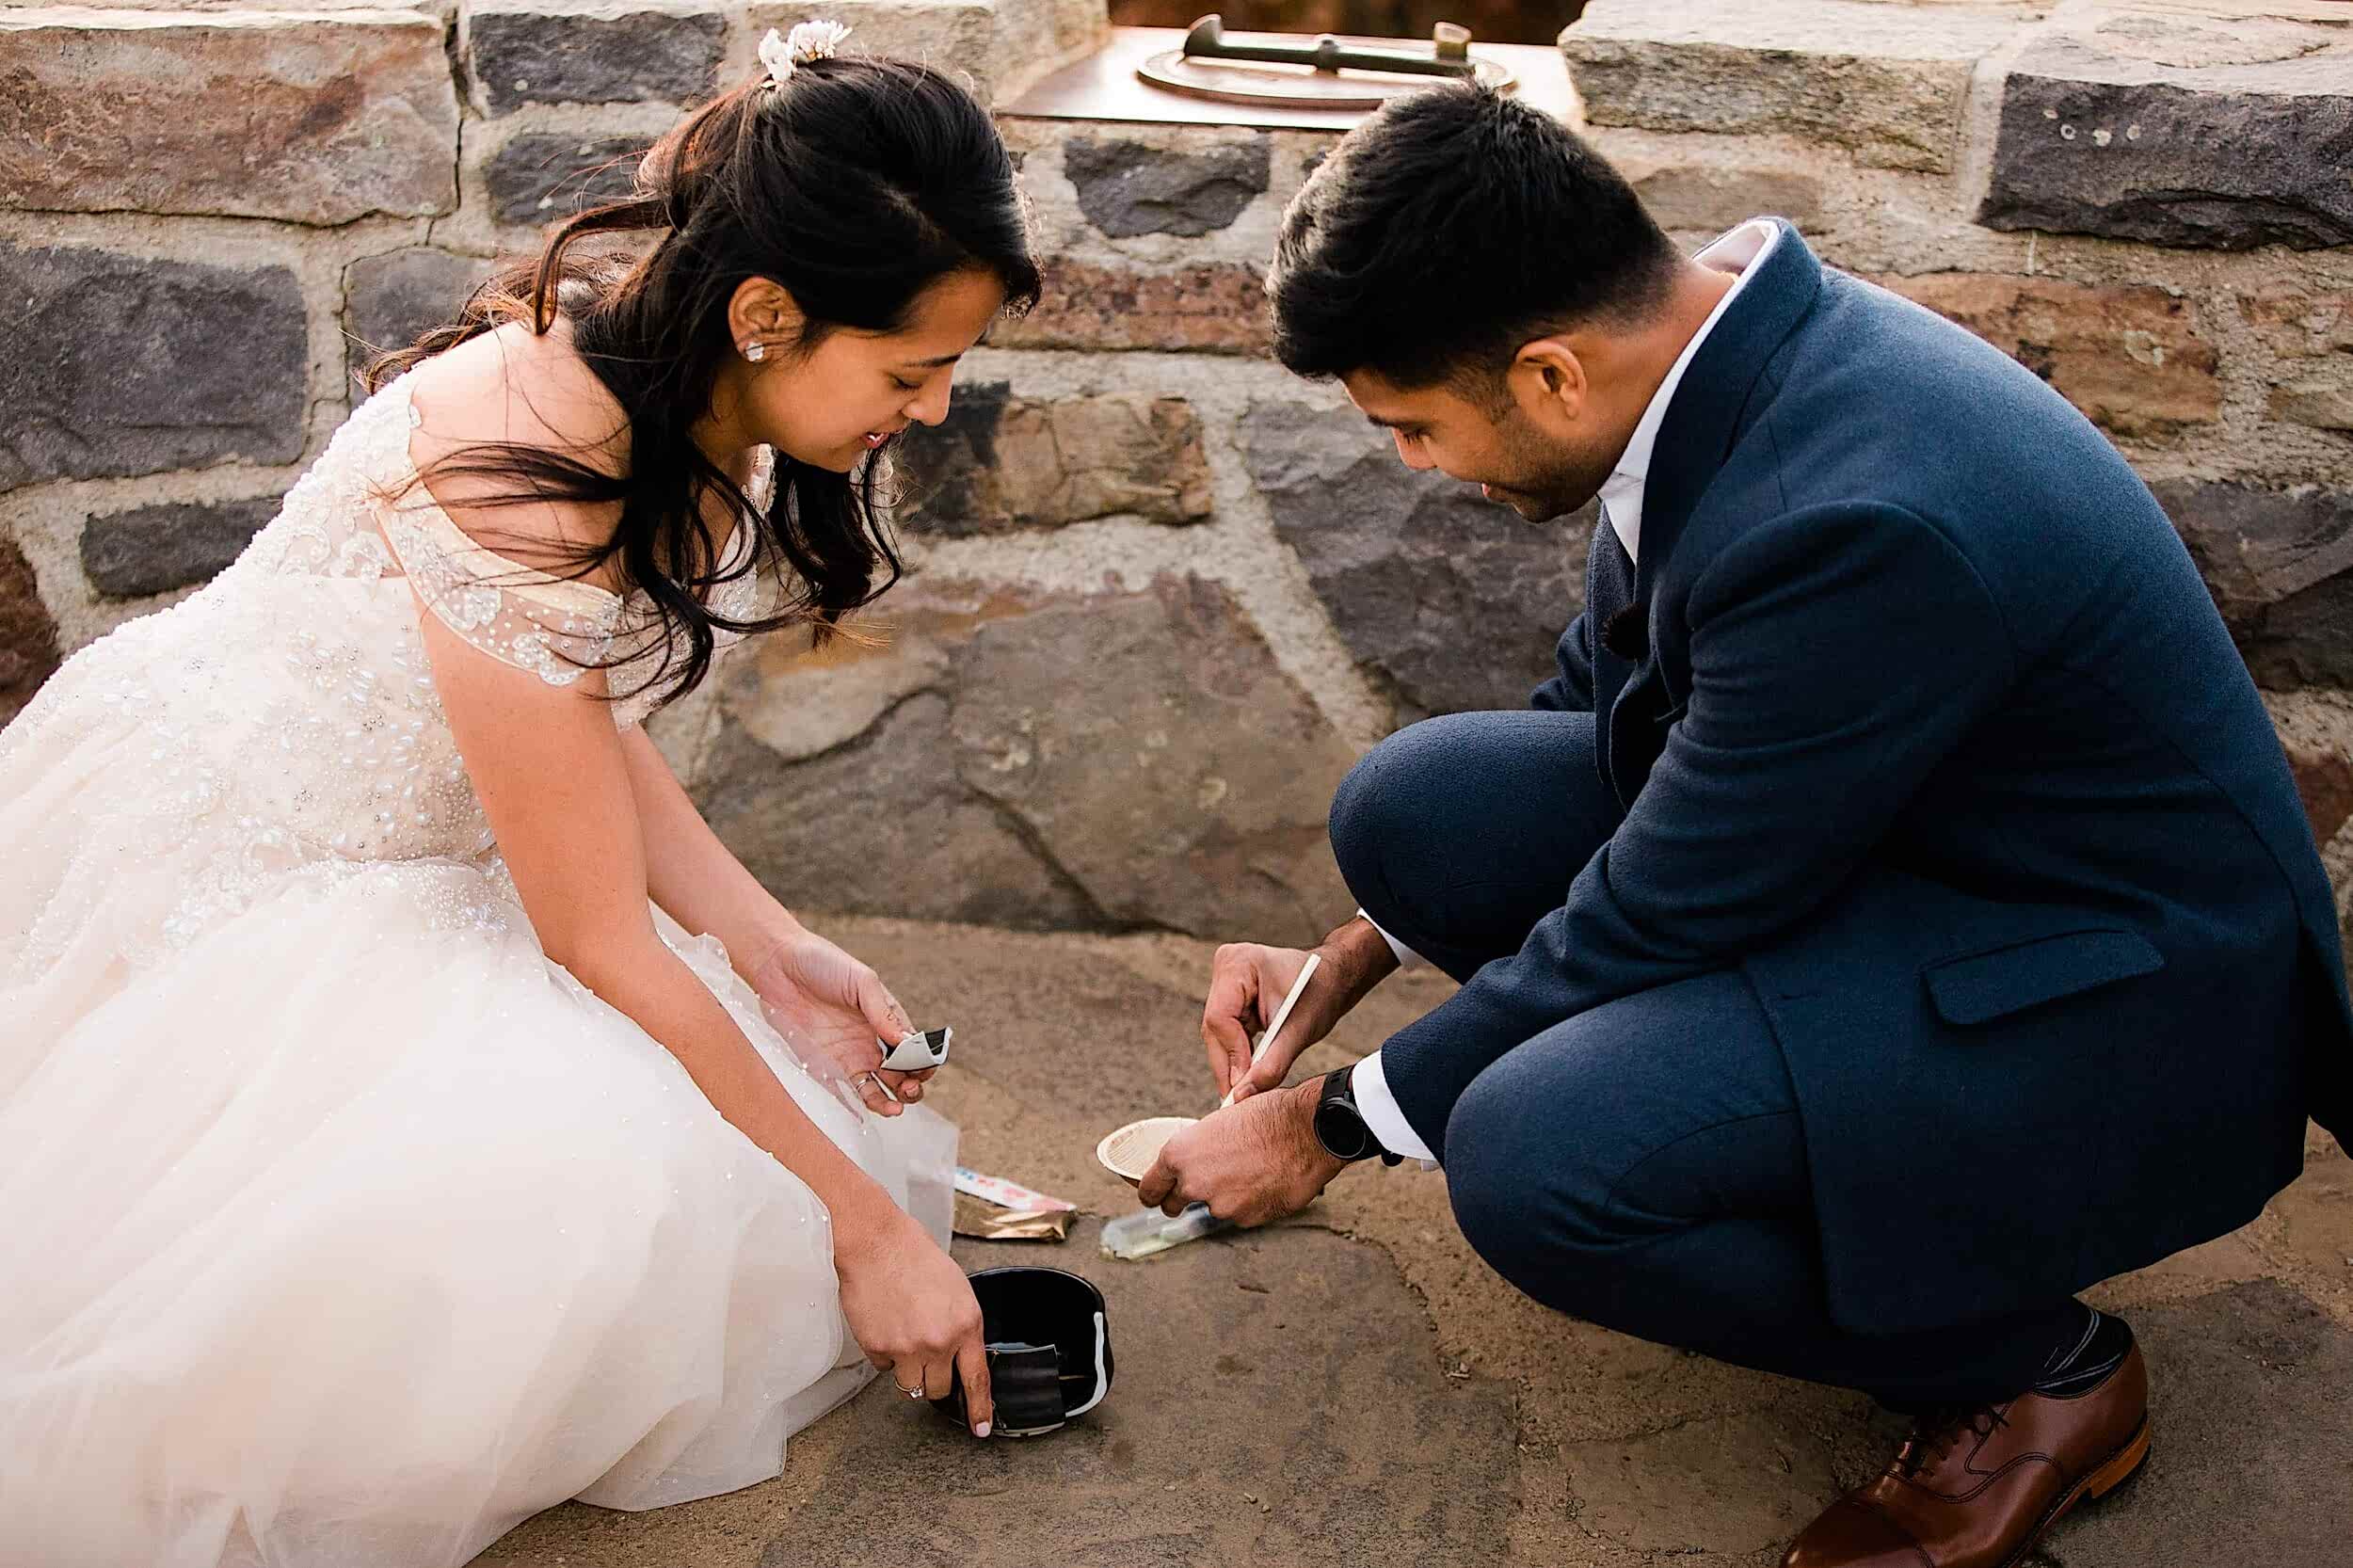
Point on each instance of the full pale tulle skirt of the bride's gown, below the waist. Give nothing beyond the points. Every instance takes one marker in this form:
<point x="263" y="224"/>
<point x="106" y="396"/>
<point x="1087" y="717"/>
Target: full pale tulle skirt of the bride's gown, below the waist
<point x="352" y="1230"/>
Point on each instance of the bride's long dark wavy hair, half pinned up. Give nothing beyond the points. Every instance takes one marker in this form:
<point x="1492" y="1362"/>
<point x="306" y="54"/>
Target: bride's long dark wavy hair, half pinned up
<point x="855" y="185"/>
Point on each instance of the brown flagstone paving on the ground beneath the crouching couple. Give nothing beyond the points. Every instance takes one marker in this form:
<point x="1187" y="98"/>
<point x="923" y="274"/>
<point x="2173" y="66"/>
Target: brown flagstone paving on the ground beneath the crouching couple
<point x="1357" y="1388"/>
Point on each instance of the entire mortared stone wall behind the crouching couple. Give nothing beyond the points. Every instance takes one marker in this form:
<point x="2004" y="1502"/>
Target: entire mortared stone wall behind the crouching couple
<point x="1161" y="594"/>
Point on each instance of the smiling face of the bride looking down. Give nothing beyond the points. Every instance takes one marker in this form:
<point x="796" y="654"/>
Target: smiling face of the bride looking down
<point x="858" y="390"/>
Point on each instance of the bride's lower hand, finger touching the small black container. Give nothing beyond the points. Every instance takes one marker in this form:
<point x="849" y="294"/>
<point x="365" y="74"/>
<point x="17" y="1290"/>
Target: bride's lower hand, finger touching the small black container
<point x="914" y="1313"/>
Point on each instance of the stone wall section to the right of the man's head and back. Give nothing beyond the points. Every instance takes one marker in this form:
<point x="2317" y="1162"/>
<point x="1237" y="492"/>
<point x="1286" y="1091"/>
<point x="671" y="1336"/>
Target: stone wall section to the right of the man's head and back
<point x="2145" y="204"/>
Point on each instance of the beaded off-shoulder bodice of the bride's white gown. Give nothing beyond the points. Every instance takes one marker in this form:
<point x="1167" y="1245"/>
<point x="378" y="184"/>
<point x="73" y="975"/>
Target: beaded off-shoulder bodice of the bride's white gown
<point x="286" y="719"/>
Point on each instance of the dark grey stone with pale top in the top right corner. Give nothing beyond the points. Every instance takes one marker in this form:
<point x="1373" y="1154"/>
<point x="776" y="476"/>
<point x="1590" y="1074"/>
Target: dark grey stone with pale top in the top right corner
<point x="2145" y="131"/>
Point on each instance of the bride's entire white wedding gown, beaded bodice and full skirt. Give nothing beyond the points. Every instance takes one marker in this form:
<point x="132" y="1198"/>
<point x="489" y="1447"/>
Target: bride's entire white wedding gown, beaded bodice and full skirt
<point x="338" y="1223"/>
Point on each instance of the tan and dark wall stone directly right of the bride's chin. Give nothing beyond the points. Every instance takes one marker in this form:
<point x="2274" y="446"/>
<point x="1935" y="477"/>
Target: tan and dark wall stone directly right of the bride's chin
<point x="1008" y="463"/>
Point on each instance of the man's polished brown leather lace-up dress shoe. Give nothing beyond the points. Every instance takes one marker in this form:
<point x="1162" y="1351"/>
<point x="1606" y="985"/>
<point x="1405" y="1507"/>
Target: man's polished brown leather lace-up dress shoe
<point x="1978" y="1489"/>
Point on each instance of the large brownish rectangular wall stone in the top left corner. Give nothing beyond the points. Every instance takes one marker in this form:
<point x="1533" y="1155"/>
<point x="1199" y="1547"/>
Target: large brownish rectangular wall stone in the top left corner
<point x="314" y="117"/>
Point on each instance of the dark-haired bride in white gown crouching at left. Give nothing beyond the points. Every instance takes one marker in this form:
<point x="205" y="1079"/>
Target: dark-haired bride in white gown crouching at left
<point x="411" y="1115"/>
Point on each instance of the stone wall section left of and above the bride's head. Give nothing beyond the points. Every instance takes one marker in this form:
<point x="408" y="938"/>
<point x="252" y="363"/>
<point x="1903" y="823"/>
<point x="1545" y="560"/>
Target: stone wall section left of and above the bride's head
<point x="213" y="213"/>
